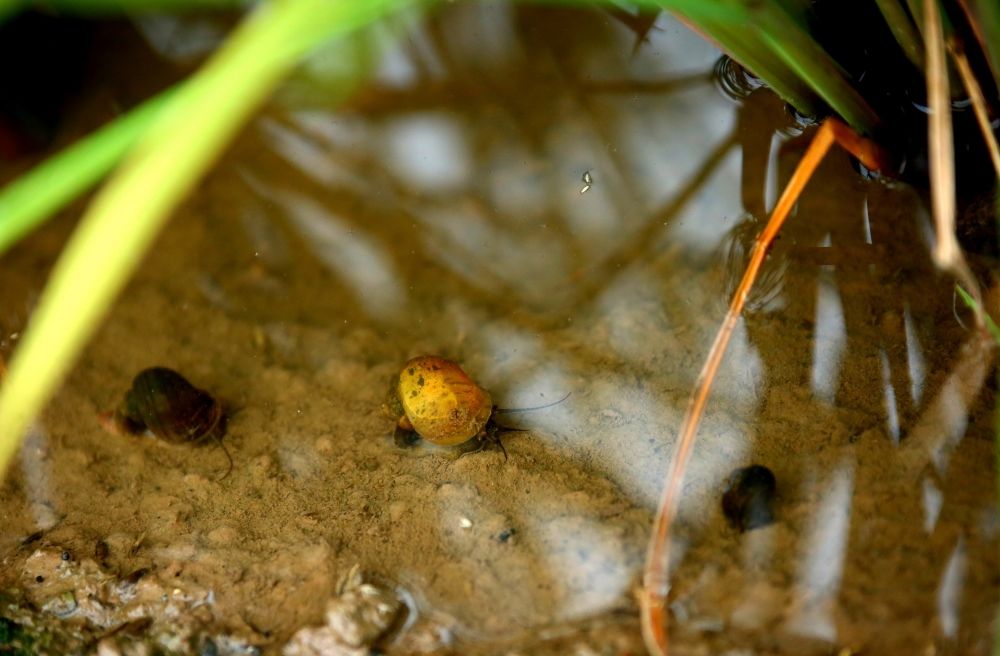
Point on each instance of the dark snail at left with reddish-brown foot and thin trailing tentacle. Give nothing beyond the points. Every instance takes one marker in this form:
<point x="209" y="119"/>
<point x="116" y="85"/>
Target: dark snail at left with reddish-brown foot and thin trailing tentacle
<point x="165" y="404"/>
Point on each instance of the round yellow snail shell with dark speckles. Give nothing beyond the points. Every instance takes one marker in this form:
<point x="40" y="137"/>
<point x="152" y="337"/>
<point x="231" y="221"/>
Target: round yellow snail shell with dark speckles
<point x="440" y="402"/>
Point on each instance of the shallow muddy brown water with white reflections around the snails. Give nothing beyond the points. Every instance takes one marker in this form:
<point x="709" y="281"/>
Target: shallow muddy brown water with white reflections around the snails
<point x="440" y="211"/>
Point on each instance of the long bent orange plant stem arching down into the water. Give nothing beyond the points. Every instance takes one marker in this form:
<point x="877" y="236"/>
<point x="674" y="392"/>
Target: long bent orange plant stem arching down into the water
<point x="655" y="580"/>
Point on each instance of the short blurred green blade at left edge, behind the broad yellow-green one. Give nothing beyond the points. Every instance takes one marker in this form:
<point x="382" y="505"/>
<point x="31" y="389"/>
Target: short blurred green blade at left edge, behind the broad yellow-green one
<point x="47" y="188"/>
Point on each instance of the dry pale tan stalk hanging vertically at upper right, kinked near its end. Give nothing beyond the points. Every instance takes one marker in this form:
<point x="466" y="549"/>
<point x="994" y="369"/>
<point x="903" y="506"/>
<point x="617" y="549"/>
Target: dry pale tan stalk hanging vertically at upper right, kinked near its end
<point x="947" y="254"/>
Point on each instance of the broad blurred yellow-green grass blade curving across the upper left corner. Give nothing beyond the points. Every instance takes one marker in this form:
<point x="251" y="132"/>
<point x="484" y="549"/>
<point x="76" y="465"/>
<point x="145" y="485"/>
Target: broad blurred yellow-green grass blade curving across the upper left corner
<point x="187" y="136"/>
